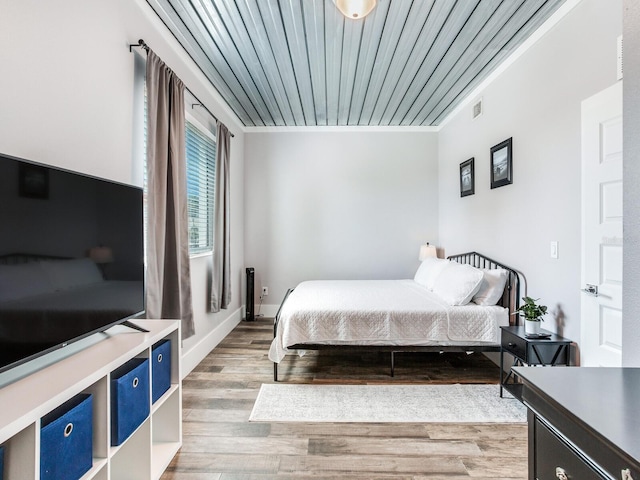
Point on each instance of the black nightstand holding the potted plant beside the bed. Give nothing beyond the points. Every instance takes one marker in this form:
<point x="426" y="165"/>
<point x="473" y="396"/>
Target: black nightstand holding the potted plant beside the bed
<point x="554" y="350"/>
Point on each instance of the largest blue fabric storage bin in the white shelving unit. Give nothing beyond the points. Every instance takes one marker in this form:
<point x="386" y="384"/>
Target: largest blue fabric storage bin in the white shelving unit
<point x="66" y="440"/>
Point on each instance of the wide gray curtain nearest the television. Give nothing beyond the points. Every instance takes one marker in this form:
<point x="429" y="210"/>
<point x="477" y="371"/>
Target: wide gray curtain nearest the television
<point x="168" y="273"/>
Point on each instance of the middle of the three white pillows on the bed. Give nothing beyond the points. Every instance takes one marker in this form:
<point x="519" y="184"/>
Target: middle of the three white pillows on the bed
<point x="457" y="284"/>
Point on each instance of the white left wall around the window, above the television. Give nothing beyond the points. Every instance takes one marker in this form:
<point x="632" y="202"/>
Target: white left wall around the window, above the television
<point x="68" y="100"/>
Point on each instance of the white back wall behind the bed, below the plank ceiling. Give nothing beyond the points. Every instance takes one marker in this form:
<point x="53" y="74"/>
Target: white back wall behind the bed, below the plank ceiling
<point x="338" y="205"/>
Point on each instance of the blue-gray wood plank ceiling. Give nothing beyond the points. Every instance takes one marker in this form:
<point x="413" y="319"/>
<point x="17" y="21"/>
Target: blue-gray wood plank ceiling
<point x="302" y="63"/>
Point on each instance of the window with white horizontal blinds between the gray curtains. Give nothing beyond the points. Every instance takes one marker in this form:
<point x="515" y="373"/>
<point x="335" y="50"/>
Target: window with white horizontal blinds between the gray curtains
<point x="201" y="176"/>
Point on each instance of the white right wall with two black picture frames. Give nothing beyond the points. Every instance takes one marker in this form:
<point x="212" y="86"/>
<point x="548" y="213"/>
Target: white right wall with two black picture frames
<point x="537" y="102"/>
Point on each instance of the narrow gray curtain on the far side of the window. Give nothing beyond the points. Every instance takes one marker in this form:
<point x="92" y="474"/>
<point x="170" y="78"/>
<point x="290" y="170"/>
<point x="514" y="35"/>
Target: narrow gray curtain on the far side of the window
<point x="220" y="281"/>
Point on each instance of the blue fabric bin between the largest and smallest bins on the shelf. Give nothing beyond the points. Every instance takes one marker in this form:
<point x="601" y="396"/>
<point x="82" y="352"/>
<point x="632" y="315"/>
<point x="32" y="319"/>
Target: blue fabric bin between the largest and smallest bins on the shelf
<point x="129" y="398"/>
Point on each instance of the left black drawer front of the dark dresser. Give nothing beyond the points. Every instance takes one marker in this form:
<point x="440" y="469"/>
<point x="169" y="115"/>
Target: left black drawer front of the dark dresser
<point x="553" y="457"/>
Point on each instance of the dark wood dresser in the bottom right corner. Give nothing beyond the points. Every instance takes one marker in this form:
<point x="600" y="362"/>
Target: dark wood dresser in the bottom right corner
<point x="584" y="423"/>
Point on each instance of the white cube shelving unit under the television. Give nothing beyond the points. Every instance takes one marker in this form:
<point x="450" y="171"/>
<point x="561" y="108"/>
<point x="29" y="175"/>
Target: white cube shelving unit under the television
<point x="144" y="455"/>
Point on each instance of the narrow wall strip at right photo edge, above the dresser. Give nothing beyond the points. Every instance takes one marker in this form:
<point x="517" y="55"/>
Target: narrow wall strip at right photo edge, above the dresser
<point x="631" y="255"/>
